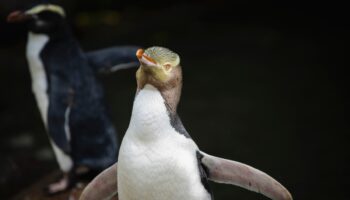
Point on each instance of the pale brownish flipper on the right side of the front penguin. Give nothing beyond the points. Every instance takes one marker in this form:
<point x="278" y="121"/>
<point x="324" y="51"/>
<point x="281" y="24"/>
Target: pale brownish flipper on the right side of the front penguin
<point x="231" y="172"/>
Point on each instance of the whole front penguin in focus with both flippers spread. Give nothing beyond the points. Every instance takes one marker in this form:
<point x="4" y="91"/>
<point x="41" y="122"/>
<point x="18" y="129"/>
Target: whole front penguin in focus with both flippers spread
<point x="158" y="159"/>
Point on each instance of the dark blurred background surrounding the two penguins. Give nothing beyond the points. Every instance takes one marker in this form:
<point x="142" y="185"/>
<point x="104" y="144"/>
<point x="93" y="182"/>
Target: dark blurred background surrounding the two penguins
<point x="264" y="84"/>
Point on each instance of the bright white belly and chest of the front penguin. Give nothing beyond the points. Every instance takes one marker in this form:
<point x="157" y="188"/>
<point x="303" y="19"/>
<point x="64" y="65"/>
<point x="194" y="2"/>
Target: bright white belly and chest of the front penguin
<point x="155" y="162"/>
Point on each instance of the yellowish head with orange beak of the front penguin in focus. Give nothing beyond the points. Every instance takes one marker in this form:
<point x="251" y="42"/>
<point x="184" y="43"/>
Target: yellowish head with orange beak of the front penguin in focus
<point x="159" y="67"/>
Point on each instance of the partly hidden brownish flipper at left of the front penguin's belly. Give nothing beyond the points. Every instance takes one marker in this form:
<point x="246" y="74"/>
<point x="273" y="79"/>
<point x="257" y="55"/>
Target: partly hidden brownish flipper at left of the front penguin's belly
<point x="102" y="187"/>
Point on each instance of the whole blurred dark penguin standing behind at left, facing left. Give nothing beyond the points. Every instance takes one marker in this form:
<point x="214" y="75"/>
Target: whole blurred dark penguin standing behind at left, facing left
<point x="69" y="96"/>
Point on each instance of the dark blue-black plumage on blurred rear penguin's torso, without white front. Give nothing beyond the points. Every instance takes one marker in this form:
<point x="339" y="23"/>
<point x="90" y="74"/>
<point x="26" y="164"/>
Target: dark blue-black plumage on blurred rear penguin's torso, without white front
<point x="77" y="114"/>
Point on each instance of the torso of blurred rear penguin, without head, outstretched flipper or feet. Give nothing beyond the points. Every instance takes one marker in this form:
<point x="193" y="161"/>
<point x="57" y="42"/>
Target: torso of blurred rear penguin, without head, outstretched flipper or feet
<point x="70" y="99"/>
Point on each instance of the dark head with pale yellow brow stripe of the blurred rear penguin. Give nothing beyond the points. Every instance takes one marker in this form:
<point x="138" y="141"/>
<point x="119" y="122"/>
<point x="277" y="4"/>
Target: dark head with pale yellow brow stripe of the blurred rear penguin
<point x="42" y="18"/>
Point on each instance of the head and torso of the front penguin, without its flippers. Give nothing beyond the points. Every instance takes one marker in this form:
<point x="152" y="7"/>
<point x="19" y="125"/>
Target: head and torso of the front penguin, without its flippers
<point x="158" y="159"/>
